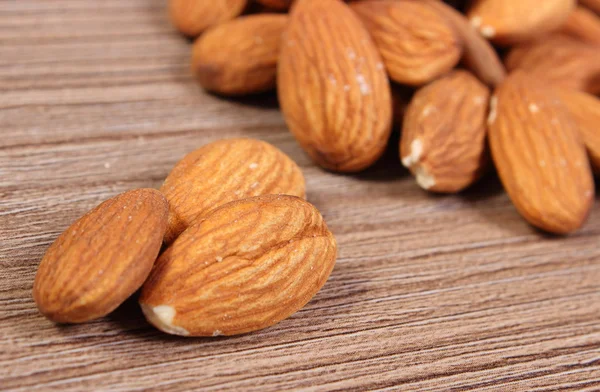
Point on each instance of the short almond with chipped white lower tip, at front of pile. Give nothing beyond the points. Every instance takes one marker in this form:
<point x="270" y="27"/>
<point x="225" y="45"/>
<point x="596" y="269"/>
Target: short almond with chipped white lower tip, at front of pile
<point x="443" y="140"/>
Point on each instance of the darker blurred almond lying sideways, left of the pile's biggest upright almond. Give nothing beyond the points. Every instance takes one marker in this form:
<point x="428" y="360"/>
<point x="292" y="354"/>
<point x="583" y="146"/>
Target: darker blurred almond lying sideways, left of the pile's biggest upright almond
<point x="240" y="56"/>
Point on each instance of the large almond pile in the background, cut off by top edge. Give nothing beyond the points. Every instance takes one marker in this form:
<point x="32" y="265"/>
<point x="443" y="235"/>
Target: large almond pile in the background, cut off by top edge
<point x="470" y="83"/>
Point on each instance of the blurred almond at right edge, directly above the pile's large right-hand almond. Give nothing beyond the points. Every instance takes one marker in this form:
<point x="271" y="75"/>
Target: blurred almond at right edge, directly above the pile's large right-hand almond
<point x="561" y="60"/>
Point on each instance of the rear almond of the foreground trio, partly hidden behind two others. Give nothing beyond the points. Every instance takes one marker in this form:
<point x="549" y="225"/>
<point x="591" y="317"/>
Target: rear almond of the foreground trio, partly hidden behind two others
<point x="224" y="171"/>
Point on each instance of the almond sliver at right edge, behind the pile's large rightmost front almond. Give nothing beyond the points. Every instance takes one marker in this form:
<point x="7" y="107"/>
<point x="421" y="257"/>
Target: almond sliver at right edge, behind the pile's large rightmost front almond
<point x="585" y="111"/>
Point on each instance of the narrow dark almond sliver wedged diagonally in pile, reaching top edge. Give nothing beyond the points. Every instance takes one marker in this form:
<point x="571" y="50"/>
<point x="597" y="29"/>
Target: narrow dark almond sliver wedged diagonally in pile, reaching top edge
<point x="479" y="55"/>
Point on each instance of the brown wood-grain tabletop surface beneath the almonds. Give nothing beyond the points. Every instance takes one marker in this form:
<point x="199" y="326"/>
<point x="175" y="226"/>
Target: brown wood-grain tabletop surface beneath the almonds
<point x="429" y="293"/>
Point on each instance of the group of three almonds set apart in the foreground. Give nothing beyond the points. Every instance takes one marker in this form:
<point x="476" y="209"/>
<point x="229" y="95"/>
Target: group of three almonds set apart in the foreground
<point x="242" y="251"/>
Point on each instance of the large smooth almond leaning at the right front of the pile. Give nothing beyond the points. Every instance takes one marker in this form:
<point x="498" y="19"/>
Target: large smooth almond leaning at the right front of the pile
<point x="539" y="155"/>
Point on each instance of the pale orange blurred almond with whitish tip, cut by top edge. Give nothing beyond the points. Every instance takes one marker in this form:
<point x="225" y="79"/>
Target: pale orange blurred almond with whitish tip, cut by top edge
<point x="510" y="21"/>
